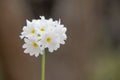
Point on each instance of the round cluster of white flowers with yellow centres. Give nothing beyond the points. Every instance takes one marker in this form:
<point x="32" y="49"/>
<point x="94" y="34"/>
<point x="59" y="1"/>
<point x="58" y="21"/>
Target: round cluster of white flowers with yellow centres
<point x="40" y="34"/>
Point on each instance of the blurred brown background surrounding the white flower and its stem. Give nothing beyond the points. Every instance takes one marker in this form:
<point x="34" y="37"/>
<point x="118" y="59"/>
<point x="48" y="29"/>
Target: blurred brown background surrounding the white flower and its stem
<point x="91" y="52"/>
